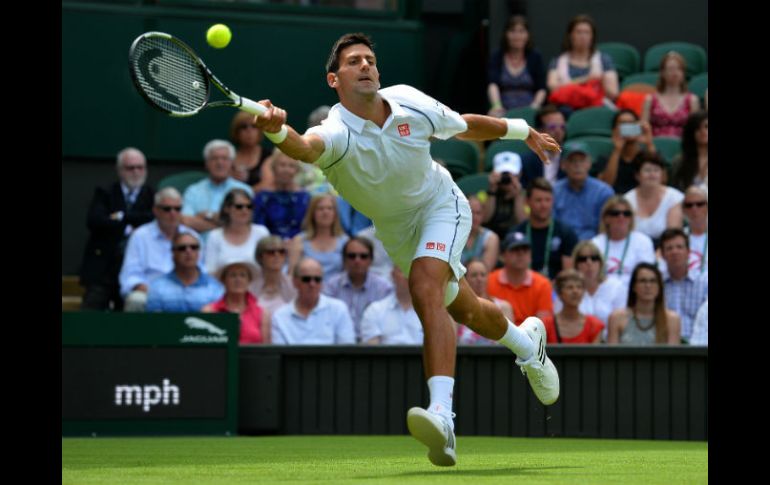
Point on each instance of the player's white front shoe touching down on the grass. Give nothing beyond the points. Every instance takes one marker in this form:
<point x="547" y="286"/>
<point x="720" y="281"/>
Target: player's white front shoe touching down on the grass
<point x="435" y="432"/>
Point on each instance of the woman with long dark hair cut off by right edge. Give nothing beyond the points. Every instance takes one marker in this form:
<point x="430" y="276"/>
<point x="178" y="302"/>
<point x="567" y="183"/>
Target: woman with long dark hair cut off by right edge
<point x="691" y="167"/>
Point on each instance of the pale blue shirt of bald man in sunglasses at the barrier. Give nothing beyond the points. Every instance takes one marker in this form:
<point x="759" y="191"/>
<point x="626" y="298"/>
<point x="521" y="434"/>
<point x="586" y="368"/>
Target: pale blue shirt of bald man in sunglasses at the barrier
<point x="328" y="323"/>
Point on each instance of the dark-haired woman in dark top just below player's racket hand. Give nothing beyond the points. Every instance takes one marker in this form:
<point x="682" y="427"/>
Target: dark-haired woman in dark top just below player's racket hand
<point x="251" y="164"/>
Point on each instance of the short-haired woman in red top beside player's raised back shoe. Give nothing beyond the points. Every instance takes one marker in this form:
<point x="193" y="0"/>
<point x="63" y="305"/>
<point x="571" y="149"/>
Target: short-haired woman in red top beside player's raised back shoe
<point x="570" y="325"/>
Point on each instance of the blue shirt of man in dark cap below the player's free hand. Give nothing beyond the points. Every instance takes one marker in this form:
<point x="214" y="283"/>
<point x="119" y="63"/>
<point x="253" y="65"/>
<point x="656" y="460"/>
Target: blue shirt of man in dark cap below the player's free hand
<point x="582" y="209"/>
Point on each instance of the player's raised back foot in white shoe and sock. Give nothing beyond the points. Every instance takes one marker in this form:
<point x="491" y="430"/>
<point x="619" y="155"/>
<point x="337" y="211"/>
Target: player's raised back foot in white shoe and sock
<point x="539" y="369"/>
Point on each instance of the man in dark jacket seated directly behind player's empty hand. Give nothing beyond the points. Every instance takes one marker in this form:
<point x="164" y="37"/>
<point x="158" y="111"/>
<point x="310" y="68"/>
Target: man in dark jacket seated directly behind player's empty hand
<point x="547" y="120"/>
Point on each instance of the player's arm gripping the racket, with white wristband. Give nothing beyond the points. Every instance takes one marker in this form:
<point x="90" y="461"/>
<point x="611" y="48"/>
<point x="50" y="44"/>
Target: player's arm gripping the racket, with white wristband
<point x="306" y="148"/>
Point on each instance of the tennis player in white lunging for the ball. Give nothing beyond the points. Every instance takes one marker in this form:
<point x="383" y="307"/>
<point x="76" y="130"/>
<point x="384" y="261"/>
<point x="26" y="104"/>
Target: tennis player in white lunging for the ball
<point x="374" y="148"/>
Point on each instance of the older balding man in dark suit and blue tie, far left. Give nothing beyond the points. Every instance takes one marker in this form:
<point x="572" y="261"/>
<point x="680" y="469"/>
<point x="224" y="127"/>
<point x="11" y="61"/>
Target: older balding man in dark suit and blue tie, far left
<point x="114" y="213"/>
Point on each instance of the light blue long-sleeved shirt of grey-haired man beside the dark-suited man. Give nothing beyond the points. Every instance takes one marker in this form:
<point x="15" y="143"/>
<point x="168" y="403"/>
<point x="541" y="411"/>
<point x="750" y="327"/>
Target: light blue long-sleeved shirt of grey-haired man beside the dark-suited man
<point x="148" y="256"/>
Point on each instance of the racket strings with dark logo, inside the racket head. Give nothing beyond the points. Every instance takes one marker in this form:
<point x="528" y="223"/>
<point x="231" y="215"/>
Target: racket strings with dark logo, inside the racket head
<point x="169" y="75"/>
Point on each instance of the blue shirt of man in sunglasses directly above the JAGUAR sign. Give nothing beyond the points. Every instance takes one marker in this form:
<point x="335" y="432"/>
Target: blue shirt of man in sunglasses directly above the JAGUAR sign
<point x="169" y="294"/>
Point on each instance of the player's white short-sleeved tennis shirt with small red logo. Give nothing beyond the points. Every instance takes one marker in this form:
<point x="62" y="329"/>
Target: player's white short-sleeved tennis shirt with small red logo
<point x="388" y="172"/>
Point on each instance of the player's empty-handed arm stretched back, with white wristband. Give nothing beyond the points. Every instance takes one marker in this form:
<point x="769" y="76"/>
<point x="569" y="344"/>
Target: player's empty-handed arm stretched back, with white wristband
<point x="482" y="127"/>
